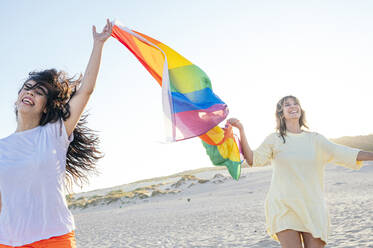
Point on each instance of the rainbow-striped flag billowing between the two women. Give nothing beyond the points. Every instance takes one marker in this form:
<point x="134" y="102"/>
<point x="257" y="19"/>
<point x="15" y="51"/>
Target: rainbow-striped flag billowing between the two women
<point x="190" y="106"/>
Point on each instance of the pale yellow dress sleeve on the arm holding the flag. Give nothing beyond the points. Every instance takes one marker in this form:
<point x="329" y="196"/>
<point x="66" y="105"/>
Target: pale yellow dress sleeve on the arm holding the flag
<point x="263" y="155"/>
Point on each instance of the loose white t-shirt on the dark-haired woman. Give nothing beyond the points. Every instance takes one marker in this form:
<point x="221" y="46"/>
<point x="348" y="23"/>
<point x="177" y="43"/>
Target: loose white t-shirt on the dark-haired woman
<point x="32" y="177"/>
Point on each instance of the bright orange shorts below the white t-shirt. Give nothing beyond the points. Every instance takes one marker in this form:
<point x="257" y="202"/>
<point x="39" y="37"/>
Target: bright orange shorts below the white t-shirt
<point x="63" y="241"/>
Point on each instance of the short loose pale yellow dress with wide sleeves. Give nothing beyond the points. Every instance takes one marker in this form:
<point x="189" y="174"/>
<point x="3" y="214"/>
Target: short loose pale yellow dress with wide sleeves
<point x="295" y="199"/>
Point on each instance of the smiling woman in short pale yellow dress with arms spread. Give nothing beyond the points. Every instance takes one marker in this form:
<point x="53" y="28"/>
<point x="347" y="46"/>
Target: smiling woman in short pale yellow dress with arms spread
<point x="295" y="207"/>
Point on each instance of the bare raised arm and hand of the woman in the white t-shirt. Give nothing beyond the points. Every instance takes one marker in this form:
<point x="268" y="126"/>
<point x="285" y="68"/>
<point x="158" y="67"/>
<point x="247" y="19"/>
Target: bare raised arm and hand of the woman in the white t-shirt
<point x="81" y="97"/>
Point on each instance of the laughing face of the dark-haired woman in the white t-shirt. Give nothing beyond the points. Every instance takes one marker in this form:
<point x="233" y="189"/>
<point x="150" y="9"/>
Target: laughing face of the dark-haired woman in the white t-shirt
<point x="32" y="99"/>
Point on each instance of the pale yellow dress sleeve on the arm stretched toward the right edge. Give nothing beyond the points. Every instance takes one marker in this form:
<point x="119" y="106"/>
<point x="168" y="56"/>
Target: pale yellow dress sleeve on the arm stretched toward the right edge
<point x="339" y="154"/>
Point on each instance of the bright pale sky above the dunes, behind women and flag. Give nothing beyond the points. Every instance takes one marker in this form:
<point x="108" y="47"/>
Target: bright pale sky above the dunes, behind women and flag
<point x="255" y="52"/>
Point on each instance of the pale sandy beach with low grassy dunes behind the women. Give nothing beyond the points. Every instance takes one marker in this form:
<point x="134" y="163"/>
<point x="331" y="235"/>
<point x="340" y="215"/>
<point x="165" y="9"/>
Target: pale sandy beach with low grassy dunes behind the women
<point x="206" y="208"/>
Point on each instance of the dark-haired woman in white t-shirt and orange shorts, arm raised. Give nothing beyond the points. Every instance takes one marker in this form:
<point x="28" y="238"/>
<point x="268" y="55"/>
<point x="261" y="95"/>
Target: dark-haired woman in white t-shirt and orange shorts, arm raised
<point x="49" y="145"/>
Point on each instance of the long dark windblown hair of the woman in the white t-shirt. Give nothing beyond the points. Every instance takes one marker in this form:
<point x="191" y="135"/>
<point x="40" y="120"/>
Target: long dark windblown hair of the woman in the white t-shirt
<point x="83" y="152"/>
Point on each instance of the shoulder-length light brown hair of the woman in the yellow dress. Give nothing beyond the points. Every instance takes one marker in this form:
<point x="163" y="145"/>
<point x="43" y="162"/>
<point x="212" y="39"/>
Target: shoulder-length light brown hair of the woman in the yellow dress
<point x="280" y="119"/>
